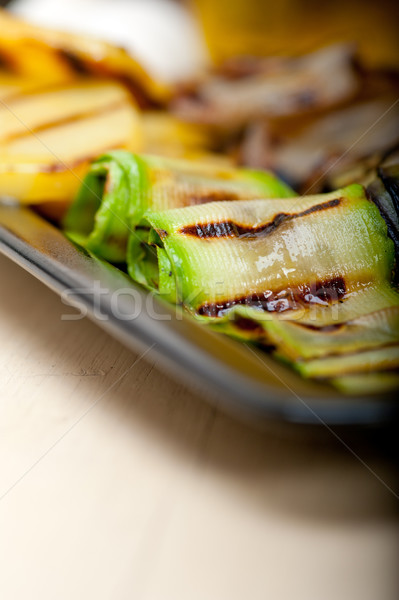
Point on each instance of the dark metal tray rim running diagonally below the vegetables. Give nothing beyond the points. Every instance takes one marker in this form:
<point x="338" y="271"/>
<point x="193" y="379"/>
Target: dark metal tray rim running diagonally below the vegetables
<point x="238" y="377"/>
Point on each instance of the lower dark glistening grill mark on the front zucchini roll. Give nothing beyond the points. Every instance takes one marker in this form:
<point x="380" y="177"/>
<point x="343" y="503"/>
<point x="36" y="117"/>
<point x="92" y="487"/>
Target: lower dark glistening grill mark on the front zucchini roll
<point x="324" y="293"/>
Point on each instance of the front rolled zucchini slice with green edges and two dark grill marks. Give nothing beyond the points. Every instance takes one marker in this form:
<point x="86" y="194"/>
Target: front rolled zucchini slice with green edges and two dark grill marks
<point x="304" y="252"/>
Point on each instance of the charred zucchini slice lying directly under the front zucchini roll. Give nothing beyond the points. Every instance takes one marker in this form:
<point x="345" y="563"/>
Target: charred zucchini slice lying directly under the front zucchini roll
<point x="310" y="335"/>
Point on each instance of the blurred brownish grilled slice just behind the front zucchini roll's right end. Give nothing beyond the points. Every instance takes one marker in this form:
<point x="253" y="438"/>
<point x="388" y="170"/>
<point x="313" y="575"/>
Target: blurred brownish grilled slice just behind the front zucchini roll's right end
<point x="318" y="156"/>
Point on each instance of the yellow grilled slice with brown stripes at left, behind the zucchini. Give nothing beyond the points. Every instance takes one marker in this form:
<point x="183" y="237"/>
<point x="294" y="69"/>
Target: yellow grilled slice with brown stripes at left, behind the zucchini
<point x="49" y="136"/>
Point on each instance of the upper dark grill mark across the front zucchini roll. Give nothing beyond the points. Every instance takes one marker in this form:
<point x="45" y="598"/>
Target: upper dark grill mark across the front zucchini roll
<point x="231" y="229"/>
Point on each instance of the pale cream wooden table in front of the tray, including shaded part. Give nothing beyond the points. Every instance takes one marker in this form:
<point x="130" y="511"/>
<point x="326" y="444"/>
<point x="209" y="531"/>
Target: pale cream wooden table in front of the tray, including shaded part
<point x="117" y="483"/>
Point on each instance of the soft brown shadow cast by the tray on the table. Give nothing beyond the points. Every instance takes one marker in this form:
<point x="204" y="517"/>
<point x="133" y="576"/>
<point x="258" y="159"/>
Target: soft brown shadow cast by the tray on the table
<point x="339" y="475"/>
